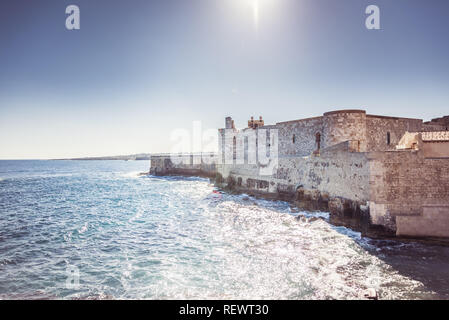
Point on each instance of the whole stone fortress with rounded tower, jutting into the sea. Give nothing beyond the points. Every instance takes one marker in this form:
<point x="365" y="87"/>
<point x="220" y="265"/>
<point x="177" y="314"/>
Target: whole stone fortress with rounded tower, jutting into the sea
<point x="380" y="173"/>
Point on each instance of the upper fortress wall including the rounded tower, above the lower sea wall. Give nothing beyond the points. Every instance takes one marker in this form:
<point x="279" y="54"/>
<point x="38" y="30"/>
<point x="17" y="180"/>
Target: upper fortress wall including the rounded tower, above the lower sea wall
<point x="373" y="133"/>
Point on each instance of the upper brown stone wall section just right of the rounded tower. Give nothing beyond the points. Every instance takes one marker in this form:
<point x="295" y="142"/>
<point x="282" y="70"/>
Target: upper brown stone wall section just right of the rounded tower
<point x="378" y="127"/>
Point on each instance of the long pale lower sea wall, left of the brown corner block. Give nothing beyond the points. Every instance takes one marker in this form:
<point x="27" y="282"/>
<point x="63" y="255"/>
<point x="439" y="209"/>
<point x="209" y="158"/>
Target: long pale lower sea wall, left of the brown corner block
<point x="326" y="173"/>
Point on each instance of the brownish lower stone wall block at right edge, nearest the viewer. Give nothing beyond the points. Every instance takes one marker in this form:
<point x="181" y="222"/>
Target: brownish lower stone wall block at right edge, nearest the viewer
<point x="403" y="184"/>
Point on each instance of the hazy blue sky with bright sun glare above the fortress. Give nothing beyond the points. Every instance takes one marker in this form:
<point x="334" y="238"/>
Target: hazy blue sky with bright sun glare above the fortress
<point x="138" y="70"/>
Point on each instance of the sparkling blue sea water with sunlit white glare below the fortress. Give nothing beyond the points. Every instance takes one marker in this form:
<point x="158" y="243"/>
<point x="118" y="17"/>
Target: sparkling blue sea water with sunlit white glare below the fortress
<point x="96" y="230"/>
